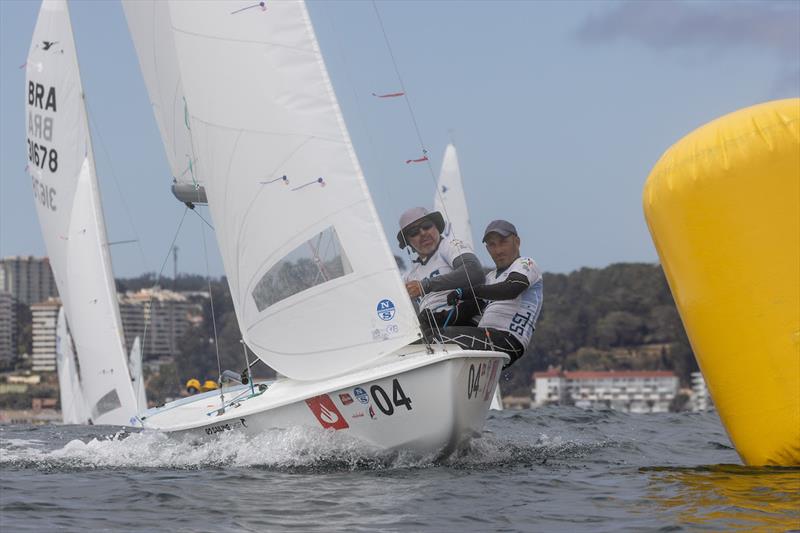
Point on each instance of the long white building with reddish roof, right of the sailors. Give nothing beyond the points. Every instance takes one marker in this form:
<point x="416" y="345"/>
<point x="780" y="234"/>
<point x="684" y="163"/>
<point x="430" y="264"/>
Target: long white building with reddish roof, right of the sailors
<point x="633" y="391"/>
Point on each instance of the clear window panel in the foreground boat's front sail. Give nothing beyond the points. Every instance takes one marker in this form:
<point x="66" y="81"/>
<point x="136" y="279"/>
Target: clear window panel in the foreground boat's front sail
<point x="316" y="261"/>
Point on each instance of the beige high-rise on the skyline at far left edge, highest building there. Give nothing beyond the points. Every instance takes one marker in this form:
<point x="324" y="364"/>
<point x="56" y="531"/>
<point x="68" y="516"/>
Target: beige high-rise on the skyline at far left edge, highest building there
<point x="28" y="279"/>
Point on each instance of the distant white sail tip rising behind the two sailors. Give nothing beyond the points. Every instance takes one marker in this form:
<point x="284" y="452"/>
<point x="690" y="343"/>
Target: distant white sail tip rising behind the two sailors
<point x="450" y="200"/>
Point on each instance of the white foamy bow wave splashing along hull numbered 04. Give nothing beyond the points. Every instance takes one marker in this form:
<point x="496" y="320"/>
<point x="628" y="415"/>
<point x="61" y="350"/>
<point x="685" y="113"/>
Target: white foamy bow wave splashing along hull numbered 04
<point x="282" y="449"/>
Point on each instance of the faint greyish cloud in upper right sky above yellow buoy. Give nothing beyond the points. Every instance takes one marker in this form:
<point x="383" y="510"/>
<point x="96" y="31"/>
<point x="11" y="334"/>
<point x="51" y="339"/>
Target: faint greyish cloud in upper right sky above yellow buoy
<point x="771" y="25"/>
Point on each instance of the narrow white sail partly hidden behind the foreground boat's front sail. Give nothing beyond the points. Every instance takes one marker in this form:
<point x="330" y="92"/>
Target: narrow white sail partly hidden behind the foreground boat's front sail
<point x="149" y="24"/>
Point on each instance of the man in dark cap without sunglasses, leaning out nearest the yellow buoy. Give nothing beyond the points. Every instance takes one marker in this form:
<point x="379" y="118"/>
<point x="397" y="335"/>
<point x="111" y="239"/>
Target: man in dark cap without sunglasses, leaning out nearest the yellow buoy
<point x="513" y="295"/>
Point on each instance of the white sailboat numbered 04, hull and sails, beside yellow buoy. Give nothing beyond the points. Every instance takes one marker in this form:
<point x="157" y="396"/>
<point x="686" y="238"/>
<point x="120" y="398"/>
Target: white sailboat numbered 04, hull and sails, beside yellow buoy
<point x="249" y="118"/>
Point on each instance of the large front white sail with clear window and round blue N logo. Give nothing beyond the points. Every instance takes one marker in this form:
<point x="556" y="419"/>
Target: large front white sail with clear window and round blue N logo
<point x="314" y="284"/>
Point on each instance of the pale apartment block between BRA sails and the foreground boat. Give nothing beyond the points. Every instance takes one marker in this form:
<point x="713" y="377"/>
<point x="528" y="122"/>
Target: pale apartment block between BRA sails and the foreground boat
<point x="165" y="315"/>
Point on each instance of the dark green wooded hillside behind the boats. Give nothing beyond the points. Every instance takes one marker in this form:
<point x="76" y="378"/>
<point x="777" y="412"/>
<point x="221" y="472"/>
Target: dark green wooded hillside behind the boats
<point x="621" y="317"/>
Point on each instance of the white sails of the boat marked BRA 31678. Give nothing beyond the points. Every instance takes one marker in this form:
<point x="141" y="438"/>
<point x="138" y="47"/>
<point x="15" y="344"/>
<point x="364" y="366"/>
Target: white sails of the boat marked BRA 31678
<point x="67" y="200"/>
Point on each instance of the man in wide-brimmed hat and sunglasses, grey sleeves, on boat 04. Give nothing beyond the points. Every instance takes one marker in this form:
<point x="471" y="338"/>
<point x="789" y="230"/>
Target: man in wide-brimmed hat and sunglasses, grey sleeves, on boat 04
<point x="443" y="263"/>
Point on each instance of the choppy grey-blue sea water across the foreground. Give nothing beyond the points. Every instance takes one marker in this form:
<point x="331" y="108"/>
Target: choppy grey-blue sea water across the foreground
<point x="552" y="469"/>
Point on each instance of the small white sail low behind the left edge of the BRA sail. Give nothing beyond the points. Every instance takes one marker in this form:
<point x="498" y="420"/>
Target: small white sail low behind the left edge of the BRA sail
<point x="73" y="405"/>
